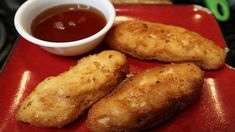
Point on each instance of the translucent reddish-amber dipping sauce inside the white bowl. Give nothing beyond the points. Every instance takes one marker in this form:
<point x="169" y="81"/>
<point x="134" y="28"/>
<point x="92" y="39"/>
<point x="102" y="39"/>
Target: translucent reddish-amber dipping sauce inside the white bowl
<point x="67" y="22"/>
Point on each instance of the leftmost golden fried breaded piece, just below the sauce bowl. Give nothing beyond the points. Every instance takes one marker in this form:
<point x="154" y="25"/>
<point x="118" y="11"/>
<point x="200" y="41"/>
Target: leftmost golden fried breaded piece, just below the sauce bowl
<point x="59" y="100"/>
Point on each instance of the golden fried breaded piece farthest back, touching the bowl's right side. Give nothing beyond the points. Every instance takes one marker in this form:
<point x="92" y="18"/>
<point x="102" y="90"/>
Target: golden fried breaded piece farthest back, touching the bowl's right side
<point x="155" y="41"/>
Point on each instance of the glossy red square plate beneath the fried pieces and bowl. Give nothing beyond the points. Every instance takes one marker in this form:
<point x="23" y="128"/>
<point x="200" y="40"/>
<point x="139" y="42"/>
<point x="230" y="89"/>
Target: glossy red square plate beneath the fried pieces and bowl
<point x="214" y="111"/>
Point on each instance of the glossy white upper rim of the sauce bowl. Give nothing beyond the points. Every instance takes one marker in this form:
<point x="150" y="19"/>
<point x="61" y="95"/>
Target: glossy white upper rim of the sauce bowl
<point x="44" y="43"/>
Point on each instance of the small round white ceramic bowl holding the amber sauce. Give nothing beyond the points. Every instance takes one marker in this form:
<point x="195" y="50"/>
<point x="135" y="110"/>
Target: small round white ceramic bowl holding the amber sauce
<point x="31" y="8"/>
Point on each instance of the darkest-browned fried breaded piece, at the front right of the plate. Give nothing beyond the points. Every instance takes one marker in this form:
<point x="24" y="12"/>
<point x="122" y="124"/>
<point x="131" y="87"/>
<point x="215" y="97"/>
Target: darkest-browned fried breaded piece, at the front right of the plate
<point x="147" y="99"/>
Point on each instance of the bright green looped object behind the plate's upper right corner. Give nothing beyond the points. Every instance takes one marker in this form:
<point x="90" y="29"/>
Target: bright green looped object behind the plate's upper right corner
<point x="214" y="5"/>
